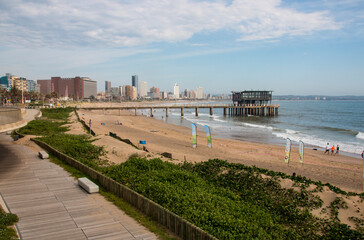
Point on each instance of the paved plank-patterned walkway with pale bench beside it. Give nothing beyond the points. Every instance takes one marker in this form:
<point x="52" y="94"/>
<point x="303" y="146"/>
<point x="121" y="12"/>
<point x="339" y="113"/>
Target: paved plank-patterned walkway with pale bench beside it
<point x="50" y="204"/>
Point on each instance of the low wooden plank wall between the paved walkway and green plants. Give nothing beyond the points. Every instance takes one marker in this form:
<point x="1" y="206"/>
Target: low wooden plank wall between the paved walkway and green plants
<point x="171" y="221"/>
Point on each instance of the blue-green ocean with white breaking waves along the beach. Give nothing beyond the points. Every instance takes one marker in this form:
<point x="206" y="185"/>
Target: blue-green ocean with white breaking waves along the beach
<point x="316" y="123"/>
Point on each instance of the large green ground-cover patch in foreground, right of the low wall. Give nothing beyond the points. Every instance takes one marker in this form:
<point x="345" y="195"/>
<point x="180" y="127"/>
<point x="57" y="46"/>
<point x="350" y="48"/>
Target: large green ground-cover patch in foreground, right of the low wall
<point x="229" y="203"/>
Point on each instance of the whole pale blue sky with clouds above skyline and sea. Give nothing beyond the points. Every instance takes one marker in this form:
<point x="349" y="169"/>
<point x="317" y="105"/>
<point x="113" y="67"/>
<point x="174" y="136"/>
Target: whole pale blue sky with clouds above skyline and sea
<point x="311" y="47"/>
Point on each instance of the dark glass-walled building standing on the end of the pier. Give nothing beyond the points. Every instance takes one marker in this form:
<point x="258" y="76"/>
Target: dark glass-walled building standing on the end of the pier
<point x="252" y="98"/>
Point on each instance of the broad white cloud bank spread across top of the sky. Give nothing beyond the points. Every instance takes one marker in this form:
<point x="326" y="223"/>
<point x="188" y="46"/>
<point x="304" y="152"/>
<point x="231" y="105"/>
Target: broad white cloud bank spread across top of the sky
<point x="47" y="23"/>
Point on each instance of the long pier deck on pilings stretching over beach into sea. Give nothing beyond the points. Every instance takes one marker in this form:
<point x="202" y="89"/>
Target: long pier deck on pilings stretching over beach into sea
<point x="228" y="109"/>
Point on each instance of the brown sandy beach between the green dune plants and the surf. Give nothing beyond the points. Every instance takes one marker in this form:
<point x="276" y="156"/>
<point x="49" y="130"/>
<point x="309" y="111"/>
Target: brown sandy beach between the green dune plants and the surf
<point x="340" y="170"/>
